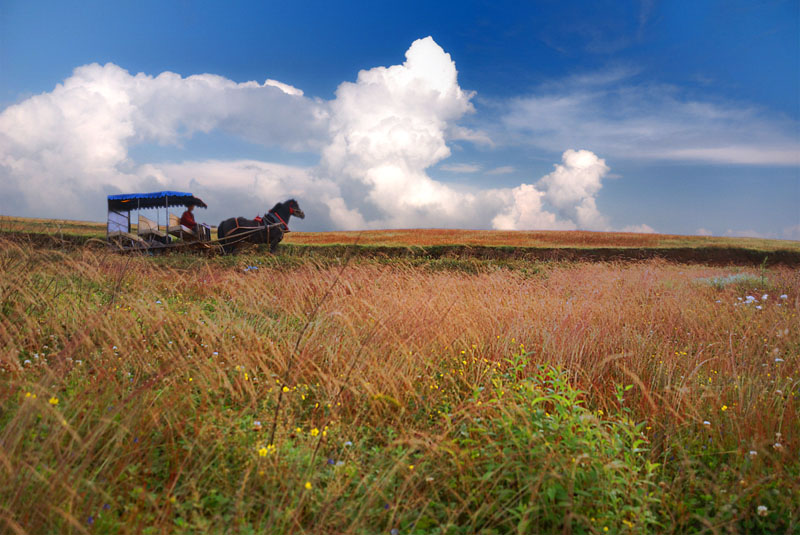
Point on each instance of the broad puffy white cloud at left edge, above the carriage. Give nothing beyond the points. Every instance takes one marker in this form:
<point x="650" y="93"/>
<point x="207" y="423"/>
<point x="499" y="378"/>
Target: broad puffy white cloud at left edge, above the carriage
<point x="75" y="139"/>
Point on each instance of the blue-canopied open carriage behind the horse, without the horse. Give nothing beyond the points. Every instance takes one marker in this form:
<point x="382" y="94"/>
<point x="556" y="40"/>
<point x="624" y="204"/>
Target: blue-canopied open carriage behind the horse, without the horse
<point x="150" y="234"/>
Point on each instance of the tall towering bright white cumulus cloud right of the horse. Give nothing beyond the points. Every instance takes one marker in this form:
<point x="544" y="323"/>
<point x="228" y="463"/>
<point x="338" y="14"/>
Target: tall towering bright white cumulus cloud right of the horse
<point x="389" y="126"/>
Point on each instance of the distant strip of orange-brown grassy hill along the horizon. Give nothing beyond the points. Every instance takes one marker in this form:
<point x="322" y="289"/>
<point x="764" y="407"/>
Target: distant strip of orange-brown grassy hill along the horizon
<point x="480" y="244"/>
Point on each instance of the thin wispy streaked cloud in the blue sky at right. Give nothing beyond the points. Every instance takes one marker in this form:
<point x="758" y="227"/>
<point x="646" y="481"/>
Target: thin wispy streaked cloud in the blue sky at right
<point x="611" y="113"/>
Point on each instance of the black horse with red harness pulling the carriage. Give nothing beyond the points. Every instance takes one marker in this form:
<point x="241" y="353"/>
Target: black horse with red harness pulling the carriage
<point x="237" y="230"/>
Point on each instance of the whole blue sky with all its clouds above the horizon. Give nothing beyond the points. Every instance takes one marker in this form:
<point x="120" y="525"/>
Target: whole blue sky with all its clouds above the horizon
<point x="678" y="117"/>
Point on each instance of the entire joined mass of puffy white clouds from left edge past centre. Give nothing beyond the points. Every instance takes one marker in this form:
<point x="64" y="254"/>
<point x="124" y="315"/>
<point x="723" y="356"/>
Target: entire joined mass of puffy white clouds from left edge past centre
<point x="376" y="140"/>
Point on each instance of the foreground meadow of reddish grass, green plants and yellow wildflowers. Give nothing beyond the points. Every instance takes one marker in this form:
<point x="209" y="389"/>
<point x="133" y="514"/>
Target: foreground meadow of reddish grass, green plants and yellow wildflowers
<point x="365" y="394"/>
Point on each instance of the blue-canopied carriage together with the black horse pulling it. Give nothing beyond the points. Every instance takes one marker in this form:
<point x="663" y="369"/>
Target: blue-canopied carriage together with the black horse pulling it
<point x="152" y="236"/>
